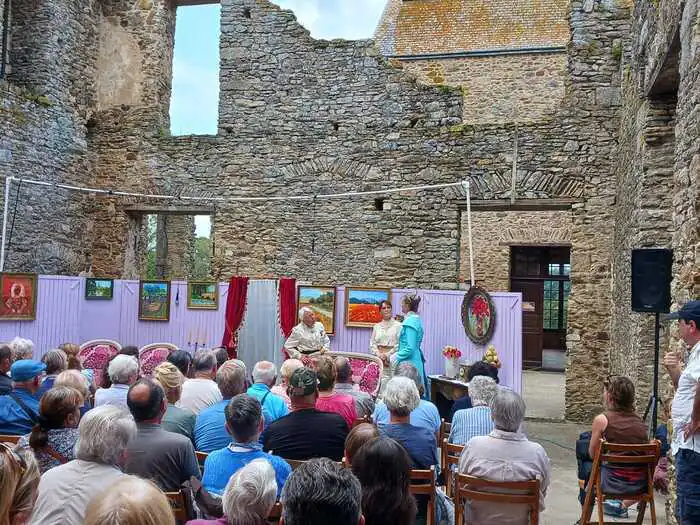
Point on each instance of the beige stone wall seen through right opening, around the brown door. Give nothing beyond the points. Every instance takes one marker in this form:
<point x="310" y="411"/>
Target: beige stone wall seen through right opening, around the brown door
<point x="494" y="232"/>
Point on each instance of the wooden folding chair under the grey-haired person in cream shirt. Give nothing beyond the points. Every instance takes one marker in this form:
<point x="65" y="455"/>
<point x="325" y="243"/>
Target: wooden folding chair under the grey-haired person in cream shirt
<point x="469" y="488"/>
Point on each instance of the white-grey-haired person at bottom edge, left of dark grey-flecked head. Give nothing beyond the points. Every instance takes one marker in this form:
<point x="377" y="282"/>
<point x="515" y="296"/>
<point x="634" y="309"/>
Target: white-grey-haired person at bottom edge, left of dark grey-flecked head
<point x="249" y="496"/>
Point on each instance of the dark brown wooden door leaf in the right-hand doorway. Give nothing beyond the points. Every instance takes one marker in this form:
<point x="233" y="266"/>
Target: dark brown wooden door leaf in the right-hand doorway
<point x="533" y="302"/>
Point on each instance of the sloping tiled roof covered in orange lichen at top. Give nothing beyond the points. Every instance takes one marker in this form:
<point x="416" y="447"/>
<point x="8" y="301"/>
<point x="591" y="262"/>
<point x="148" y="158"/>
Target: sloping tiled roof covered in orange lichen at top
<point x="417" y="27"/>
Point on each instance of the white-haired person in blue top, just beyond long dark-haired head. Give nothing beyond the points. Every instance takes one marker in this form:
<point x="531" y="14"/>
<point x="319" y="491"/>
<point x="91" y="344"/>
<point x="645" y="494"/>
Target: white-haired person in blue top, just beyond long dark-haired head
<point x="401" y="397"/>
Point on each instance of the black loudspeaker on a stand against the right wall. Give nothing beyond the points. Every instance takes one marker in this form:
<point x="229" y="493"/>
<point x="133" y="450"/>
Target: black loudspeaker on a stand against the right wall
<point x="651" y="280"/>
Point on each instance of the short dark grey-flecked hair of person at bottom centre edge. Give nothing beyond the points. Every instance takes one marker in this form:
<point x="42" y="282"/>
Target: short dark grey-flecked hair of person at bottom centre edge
<point x="321" y="492"/>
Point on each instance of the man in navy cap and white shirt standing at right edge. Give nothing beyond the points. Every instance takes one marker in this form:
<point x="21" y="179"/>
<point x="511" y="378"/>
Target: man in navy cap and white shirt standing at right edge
<point x="685" y="413"/>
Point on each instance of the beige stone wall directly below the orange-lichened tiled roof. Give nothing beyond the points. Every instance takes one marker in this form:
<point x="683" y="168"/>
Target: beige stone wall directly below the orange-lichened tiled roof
<point x="503" y="88"/>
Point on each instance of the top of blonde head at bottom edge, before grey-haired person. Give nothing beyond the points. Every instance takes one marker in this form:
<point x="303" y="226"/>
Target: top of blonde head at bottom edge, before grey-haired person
<point x="131" y="501"/>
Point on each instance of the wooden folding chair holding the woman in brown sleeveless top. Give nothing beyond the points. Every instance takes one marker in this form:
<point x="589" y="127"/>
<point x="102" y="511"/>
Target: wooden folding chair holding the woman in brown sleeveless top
<point x="643" y="456"/>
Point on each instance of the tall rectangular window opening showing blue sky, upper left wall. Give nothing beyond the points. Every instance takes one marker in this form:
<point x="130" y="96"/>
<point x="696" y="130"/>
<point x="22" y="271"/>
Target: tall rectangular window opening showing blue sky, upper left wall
<point x="194" y="103"/>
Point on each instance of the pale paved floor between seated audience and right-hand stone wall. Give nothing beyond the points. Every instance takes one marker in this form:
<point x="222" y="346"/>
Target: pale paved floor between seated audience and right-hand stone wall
<point x="544" y="395"/>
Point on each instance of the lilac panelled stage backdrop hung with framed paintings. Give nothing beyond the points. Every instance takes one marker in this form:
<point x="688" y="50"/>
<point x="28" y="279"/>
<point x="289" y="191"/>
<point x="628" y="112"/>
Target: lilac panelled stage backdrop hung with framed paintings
<point x="64" y="315"/>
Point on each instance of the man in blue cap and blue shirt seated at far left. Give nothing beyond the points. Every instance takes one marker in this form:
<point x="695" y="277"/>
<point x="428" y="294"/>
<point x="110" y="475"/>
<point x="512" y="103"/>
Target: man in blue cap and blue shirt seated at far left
<point x="19" y="410"/>
